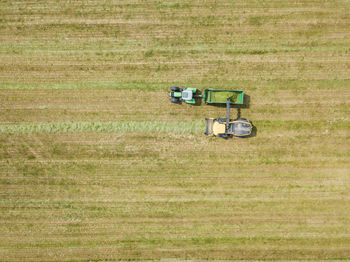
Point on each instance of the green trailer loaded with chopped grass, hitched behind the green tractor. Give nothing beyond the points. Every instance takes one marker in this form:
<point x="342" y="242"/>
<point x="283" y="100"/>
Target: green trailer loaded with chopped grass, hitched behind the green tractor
<point x="220" y="96"/>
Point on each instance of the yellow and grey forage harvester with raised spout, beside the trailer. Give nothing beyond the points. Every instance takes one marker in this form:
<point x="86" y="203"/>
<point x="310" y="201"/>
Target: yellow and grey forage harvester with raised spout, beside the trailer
<point x="226" y="127"/>
